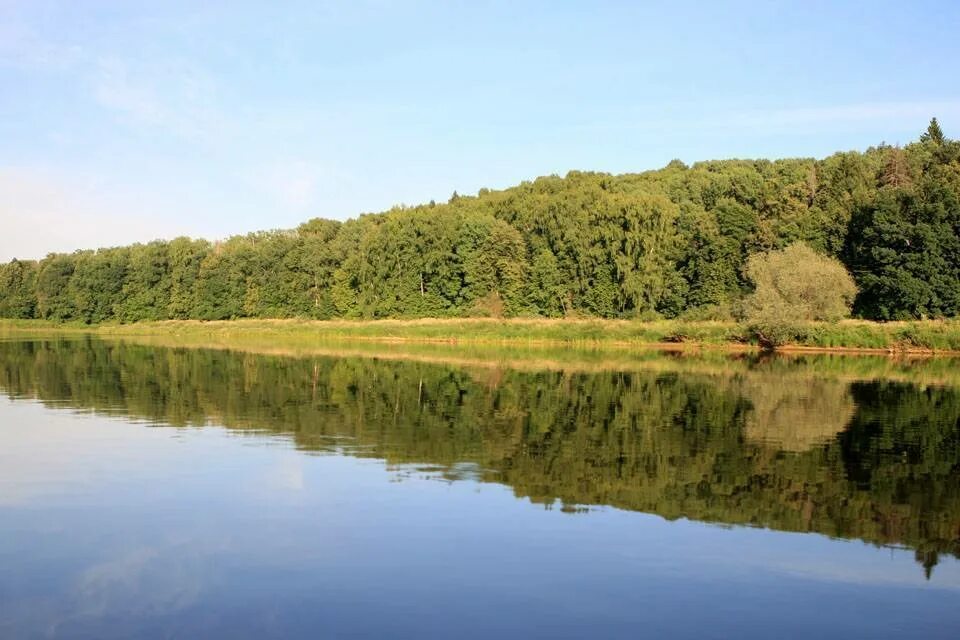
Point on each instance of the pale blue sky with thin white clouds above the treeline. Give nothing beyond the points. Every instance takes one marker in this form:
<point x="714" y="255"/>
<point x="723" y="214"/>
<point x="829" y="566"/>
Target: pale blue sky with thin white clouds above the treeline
<point x="128" y="121"/>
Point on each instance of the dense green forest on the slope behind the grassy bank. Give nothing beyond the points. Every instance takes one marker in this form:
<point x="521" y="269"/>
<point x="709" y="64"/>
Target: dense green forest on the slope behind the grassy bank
<point x="674" y="242"/>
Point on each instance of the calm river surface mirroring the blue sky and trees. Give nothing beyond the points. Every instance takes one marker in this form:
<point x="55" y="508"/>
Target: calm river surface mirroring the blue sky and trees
<point x="151" y="492"/>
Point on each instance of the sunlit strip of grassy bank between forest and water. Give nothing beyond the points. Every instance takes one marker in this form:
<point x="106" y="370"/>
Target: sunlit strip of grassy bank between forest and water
<point x="932" y="336"/>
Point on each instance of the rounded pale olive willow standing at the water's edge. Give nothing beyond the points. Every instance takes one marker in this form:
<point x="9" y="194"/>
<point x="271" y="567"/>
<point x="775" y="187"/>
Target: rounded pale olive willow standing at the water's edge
<point x="793" y="286"/>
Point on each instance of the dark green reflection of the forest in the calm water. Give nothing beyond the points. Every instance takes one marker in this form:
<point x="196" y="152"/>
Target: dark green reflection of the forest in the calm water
<point x="878" y="461"/>
